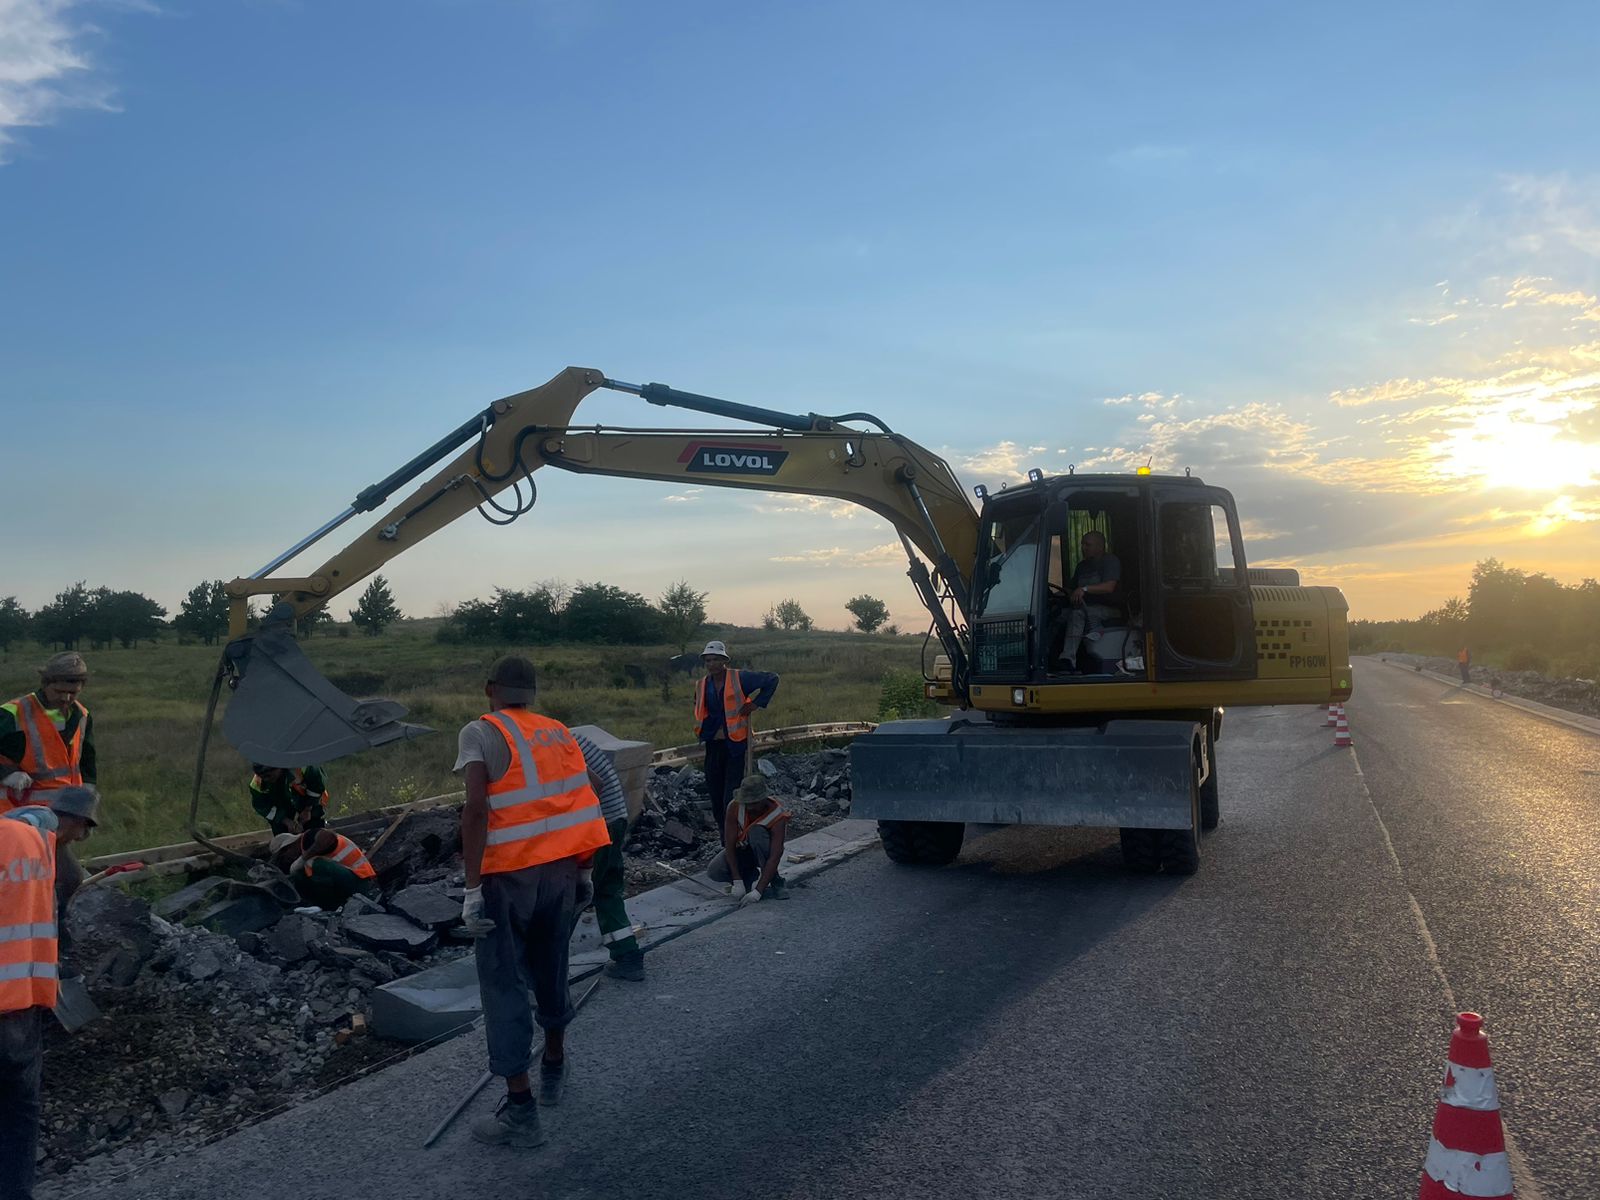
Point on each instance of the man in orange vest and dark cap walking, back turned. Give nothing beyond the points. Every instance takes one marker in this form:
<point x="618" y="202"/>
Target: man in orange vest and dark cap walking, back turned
<point x="529" y="834"/>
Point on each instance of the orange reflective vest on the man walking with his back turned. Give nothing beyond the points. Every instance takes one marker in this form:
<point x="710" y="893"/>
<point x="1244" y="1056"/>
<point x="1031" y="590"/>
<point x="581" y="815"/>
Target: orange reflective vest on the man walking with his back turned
<point x="543" y="809"/>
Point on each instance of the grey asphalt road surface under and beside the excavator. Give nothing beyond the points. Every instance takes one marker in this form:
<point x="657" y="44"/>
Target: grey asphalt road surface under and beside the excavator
<point x="1033" y="1022"/>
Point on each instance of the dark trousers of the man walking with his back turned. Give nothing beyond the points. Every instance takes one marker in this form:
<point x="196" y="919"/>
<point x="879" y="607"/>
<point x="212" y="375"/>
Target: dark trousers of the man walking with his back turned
<point x="534" y="913"/>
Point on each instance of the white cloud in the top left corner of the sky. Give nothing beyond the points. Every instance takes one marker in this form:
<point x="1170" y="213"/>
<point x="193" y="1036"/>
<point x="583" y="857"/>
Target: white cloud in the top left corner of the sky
<point x="44" y="66"/>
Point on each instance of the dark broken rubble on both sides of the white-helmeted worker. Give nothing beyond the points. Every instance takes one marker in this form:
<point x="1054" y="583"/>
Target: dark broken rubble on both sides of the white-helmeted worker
<point x="676" y="826"/>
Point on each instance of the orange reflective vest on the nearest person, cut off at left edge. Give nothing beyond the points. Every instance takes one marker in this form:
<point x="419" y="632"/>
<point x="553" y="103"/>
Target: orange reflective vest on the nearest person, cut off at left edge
<point x="28" y="918"/>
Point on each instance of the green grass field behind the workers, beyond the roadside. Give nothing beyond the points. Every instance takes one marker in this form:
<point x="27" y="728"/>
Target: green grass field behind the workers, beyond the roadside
<point x="150" y="703"/>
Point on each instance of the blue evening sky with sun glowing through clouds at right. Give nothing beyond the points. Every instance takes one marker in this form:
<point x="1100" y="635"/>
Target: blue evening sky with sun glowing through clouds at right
<point x="255" y="254"/>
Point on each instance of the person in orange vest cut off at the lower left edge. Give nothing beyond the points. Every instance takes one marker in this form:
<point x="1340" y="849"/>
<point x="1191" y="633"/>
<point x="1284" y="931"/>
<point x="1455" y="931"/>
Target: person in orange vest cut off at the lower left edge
<point x="28" y="985"/>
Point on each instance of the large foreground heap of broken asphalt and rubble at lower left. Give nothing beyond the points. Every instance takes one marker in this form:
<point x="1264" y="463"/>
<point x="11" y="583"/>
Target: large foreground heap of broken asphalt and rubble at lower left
<point x="222" y="1004"/>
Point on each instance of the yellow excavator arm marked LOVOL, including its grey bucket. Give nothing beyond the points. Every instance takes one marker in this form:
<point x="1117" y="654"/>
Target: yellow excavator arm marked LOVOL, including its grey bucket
<point x="286" y="713"/>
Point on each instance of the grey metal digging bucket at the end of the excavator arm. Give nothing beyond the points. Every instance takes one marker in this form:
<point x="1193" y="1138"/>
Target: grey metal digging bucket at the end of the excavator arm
<point x="284" y="713"/>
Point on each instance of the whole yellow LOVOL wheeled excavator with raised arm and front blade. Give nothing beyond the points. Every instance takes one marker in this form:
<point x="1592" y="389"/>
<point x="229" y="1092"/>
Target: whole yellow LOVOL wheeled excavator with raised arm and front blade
<point x="1116" y="729"/>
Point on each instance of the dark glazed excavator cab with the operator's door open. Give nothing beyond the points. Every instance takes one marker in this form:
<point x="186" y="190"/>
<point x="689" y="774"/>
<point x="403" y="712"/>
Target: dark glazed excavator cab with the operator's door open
<point x="1180" y="607"/>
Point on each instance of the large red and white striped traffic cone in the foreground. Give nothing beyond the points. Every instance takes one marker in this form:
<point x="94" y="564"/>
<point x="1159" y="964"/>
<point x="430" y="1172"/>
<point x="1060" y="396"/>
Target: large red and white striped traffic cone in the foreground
<point x="1468" y="1153"/>
